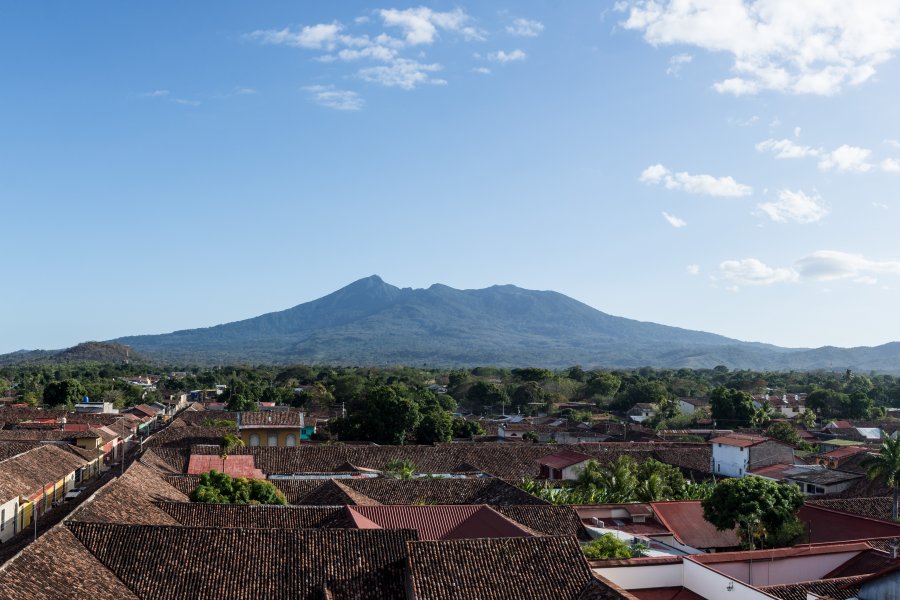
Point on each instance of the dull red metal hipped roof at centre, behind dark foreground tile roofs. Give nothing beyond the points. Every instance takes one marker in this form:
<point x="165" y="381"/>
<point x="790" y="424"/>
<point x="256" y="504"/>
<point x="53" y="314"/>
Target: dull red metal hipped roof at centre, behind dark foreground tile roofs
<point x="439" y="522"/>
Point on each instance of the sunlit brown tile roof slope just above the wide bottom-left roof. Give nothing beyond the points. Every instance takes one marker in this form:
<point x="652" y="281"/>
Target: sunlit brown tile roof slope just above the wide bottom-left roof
<point x="131" y="499"/>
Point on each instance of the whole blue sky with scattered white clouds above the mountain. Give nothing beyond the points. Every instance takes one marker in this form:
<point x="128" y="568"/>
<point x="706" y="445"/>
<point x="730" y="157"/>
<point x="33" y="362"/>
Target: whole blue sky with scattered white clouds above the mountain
<point x="719" y="165"/>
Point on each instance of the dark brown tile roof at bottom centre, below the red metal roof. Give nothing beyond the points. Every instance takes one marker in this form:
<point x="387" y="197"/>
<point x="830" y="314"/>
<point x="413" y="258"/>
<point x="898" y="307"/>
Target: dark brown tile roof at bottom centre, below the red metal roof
<point x="536" y="568"/>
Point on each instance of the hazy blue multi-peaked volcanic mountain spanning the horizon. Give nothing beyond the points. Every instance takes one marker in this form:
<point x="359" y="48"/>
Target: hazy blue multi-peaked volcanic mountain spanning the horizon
<point x="371" y="322"/>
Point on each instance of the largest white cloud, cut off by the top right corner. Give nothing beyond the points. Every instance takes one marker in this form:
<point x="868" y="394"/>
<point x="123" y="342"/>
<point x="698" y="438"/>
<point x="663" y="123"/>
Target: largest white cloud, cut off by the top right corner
<point x="811" y="47"/>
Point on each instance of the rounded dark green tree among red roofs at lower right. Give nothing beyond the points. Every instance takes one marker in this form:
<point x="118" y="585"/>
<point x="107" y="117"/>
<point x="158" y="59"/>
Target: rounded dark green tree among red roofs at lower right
<point x="759" y="508"/>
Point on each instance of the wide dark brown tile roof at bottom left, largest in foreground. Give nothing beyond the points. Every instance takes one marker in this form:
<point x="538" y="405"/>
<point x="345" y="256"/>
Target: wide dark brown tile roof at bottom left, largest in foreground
<point x="199" y="563"/>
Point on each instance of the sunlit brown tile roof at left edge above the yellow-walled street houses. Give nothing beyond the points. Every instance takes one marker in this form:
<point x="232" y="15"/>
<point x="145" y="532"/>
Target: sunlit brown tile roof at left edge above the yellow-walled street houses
<point x="31" y="471"/>
